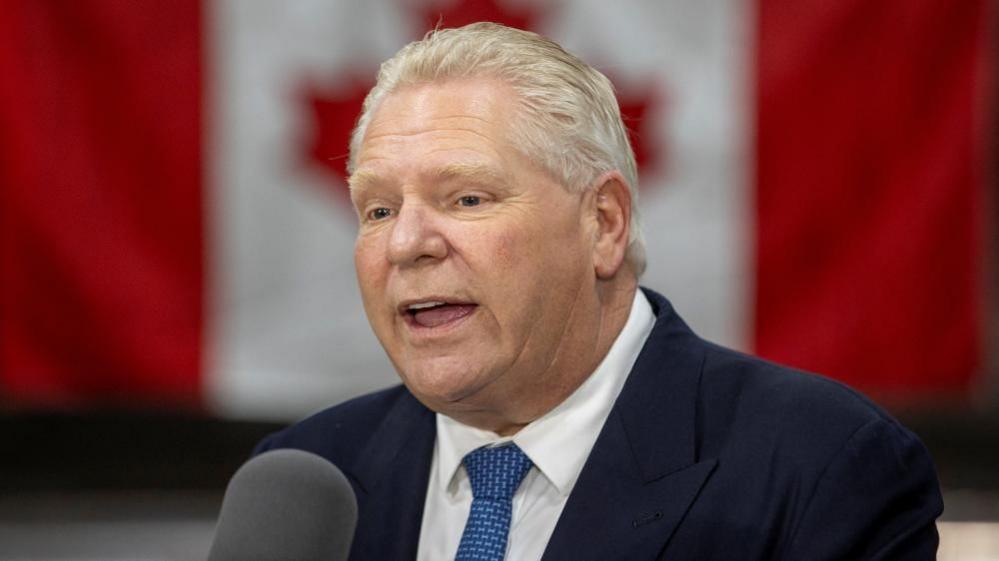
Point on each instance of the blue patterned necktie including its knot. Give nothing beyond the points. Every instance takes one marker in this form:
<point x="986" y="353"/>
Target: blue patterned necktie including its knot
<point x="495" y="474"/>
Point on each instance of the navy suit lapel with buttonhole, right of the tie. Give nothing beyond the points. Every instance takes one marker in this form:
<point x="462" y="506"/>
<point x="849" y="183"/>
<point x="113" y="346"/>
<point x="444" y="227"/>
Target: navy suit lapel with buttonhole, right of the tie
<point x="643" y="473"/>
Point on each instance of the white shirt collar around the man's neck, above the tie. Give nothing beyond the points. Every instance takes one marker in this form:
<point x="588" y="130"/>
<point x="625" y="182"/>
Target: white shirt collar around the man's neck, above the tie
<point x="559" y="442"/>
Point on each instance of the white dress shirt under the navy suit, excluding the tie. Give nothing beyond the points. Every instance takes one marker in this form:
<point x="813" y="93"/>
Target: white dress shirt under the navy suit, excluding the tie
<point x="557" y="443"/>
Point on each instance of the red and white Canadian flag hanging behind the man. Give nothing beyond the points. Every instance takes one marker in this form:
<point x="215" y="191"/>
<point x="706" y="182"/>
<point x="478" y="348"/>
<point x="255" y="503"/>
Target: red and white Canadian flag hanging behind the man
<point x="175" y="229"/>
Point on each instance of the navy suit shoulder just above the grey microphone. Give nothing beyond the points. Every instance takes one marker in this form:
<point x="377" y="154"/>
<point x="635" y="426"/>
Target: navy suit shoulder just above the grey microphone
<point x="340" y="430"/>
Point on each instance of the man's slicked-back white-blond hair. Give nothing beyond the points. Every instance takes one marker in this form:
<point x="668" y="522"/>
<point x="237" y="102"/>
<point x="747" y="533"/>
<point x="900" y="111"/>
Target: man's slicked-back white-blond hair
<point x="568" y="121"/>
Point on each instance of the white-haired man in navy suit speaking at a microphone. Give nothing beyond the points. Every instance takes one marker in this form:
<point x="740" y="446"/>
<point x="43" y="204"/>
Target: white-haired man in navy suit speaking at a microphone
<point x="551" y="409"/>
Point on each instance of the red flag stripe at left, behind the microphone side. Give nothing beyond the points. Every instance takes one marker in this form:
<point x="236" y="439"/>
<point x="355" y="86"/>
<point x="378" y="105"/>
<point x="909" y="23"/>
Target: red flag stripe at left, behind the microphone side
<point x="101" y="260"/>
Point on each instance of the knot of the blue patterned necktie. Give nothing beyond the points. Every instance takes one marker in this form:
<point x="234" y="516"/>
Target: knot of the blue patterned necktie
<point x="495" y="473"/>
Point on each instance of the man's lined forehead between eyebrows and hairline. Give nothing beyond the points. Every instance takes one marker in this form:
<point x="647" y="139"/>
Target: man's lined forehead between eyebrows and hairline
<point x="458" y="122"/>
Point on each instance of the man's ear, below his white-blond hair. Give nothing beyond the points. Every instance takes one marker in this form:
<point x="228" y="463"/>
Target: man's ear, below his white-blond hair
<point x="613" y="209"/>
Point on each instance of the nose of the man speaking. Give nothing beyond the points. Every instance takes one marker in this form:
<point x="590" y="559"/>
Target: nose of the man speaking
<point x="416" y="237"/>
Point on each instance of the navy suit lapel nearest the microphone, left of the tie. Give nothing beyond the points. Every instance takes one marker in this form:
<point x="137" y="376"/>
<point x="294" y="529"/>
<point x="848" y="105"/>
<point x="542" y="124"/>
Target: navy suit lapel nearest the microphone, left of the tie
<point x="393" y="471"/>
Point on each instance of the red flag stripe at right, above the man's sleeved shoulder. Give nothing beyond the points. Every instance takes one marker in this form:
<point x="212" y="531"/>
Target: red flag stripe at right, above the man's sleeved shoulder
<point x="869" y="191"/>
